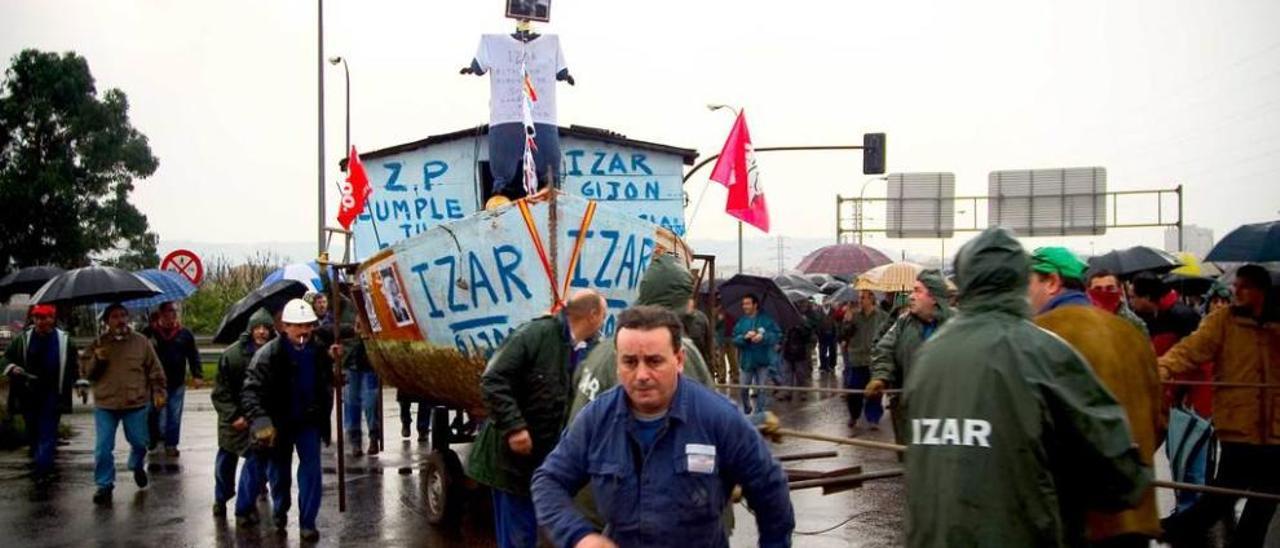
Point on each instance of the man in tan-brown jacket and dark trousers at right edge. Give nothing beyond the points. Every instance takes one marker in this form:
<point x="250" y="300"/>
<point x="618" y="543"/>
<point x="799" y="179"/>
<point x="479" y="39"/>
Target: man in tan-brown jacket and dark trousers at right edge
<point x="1244" y="342"/>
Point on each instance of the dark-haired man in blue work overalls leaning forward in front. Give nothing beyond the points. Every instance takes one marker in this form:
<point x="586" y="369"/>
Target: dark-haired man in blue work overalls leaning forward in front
<point x="662" y="455"/>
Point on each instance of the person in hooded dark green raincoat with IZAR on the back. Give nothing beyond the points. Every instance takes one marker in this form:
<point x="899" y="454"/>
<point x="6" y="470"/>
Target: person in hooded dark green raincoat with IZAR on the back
<point x="1013" y="437"/>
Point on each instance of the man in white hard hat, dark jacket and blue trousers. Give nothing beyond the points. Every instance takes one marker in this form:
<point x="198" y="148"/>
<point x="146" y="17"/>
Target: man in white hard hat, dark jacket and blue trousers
<point x="287" y="399"/>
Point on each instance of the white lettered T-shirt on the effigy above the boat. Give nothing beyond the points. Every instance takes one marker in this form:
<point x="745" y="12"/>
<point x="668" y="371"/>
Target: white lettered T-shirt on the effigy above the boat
<point x="501" y="56"/>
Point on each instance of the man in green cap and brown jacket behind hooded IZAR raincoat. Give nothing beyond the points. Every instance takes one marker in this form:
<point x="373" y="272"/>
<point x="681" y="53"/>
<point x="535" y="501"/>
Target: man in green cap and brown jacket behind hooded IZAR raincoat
<point x="1123" y="360"/>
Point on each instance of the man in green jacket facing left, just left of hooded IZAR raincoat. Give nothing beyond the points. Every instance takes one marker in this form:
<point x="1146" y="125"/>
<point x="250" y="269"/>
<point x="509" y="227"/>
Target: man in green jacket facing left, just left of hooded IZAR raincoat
<point x="895" y="351"/>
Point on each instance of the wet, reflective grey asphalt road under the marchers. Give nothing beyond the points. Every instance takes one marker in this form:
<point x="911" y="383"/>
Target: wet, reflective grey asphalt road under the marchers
<point x="385" y="495"/>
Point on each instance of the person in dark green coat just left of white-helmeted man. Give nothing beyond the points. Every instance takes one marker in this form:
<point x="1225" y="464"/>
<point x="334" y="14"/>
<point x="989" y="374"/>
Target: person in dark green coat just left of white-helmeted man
<point x="232" y="422"/>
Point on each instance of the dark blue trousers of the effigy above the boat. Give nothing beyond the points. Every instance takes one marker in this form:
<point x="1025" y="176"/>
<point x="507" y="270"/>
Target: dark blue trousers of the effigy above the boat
<point x="508" y="157"/>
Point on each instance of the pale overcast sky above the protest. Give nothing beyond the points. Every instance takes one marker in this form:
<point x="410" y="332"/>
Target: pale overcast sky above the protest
<point x="1160" y="93"/>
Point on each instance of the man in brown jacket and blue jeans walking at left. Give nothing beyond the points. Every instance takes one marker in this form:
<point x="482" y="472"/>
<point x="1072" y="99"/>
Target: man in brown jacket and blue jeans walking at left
<point x="126" y="376"/>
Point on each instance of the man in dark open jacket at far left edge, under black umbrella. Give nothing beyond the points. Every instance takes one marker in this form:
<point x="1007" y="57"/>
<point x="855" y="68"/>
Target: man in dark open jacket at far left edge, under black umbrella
<point x="42" y="368"/>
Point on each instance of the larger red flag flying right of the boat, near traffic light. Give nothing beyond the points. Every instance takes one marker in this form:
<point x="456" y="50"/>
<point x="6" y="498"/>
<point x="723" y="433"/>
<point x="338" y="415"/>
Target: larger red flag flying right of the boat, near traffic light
<point x="737" y="170"/>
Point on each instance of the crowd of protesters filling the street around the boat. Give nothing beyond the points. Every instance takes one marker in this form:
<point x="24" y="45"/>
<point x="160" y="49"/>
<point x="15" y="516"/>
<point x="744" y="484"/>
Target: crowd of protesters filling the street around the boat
<point x="1031" y="394"/>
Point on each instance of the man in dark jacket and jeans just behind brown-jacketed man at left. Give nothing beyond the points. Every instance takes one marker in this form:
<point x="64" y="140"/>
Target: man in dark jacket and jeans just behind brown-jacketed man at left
<point x="176" y="348"/>
